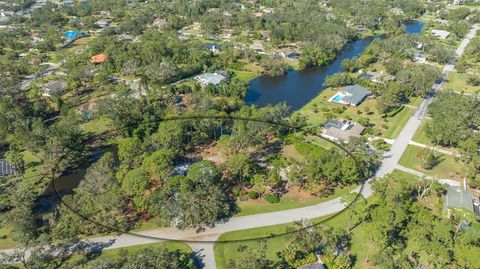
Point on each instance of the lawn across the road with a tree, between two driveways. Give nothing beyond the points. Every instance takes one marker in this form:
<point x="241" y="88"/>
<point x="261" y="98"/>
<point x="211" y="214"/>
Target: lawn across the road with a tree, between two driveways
<point x="447" y="168"/>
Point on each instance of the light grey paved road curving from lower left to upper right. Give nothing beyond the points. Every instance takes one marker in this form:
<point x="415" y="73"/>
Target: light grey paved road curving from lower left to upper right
<point x="205" y="249"/>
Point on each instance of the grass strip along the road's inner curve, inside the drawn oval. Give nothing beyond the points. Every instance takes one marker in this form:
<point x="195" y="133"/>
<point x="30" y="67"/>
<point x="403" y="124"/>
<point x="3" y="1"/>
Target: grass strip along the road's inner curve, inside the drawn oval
<point x="291" y="200"/>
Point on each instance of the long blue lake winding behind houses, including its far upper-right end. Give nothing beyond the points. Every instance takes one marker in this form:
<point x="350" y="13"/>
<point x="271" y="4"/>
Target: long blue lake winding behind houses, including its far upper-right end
<point x="297" y="88"/>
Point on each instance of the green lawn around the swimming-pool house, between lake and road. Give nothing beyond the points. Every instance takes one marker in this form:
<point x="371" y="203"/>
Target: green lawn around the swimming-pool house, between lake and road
<point x="319" y="108"/>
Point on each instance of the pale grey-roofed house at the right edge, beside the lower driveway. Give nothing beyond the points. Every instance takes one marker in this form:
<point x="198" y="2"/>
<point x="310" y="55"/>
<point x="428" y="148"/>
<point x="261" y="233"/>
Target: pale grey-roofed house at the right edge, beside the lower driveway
<point x="459" y="198"/>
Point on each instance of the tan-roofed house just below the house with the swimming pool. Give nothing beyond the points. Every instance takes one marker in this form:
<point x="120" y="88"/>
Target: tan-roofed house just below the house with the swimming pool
<point x="342" y="130"/>
